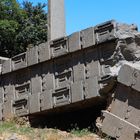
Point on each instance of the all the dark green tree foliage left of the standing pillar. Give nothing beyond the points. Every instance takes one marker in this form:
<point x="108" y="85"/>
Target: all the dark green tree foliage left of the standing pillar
<point x="20" y="26"/>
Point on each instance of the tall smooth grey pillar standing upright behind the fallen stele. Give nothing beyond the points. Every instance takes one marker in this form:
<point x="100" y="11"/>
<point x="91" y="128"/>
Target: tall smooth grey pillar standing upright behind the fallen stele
<point x="56" y="19"/>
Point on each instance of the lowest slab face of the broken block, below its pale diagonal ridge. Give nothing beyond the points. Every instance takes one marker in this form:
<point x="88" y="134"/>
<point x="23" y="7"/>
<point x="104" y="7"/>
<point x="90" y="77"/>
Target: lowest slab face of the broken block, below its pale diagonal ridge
<point x="118" y="128"/>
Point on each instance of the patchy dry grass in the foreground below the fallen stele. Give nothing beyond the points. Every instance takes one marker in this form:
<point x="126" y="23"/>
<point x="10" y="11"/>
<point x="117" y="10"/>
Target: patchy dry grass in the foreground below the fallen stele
<point x="20" y="129"/>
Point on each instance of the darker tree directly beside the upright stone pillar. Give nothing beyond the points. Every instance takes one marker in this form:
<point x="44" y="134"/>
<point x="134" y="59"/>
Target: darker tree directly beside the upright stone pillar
<point x="34" y="26"/>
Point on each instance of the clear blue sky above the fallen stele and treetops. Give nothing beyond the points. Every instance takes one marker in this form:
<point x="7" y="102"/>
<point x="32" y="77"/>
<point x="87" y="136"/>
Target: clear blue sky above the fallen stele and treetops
<point x="81" y="14"/>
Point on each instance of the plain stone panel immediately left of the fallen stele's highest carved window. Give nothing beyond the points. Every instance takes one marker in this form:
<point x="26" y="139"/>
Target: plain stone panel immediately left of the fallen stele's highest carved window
<point x="88" y="37"/>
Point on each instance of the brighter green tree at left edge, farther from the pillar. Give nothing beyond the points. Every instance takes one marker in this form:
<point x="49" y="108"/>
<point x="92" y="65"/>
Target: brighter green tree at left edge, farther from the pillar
<point x="9" y="9"/>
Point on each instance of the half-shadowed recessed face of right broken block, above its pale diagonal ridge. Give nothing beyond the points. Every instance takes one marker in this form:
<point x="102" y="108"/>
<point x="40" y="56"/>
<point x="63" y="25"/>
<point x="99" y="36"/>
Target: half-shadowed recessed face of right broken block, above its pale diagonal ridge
<point x="128" y="100"/>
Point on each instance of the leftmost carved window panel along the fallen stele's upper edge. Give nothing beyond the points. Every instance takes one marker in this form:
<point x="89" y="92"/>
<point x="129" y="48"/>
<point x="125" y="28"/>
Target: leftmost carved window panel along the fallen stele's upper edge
<point x="19" y="61"/>
